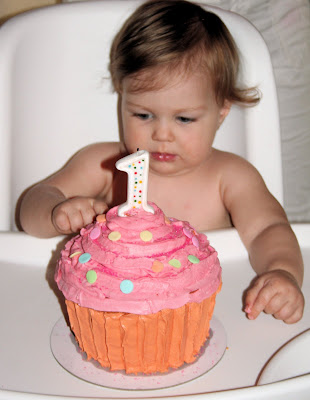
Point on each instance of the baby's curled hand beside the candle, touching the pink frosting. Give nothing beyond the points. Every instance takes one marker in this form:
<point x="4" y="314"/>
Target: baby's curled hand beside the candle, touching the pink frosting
<point x="73" y="214"/>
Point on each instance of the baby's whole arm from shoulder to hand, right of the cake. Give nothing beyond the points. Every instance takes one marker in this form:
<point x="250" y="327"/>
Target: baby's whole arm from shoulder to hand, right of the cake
<point x="273" y="248"/>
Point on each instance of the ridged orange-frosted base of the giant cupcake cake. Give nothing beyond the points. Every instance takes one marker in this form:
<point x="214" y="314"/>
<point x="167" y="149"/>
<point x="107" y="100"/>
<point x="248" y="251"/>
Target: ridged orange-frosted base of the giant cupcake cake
<point x="142" y="343"/>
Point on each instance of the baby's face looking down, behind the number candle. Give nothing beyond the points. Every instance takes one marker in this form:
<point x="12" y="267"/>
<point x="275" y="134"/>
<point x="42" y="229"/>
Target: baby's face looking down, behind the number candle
<point x="176" y="123"/>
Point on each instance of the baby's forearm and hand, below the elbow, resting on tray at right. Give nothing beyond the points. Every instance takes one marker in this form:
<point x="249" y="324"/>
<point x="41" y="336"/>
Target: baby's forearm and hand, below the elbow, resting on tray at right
<point x="276" y="257"/>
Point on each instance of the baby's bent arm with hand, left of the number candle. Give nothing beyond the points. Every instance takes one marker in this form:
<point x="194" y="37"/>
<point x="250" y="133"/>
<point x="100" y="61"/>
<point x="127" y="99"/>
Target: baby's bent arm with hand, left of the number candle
<point x="69" y="199"/>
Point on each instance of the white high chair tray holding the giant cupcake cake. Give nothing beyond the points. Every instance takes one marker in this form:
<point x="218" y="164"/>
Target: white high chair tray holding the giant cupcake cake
<point x="31" y="305"/>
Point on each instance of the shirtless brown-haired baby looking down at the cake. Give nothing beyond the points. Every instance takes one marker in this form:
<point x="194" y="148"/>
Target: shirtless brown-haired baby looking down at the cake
<point x="174" y="66"/>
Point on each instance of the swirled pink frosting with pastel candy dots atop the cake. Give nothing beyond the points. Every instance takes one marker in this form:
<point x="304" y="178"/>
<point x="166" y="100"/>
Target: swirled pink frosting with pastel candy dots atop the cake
<point x="130" y="258"/>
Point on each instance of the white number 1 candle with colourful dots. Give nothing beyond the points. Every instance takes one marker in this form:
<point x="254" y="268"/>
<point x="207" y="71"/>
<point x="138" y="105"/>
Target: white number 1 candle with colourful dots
<point x="136" y="165"/>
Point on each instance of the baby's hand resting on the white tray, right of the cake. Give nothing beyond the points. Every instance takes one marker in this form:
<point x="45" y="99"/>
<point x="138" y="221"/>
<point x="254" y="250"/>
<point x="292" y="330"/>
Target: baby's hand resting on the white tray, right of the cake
<point x="277" y="293"/>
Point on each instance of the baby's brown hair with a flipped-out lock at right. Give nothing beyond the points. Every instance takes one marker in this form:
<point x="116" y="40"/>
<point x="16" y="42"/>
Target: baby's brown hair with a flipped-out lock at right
<point x="178" y="36"/>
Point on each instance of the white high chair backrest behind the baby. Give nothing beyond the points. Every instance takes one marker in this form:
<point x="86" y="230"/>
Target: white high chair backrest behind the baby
<point x="56" y="95"/>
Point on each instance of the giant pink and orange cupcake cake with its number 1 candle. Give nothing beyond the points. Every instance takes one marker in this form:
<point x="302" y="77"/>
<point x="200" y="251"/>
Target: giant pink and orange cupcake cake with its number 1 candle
<point x="140" y="288"/>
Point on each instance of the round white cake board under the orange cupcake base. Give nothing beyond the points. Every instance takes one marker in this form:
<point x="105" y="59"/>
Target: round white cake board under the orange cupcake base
<point x="67" y="352"/>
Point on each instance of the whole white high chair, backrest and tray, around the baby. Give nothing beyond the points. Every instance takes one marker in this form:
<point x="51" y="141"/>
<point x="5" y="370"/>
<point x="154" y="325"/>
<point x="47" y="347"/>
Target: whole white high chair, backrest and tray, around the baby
<point x="56" y="97"/>
